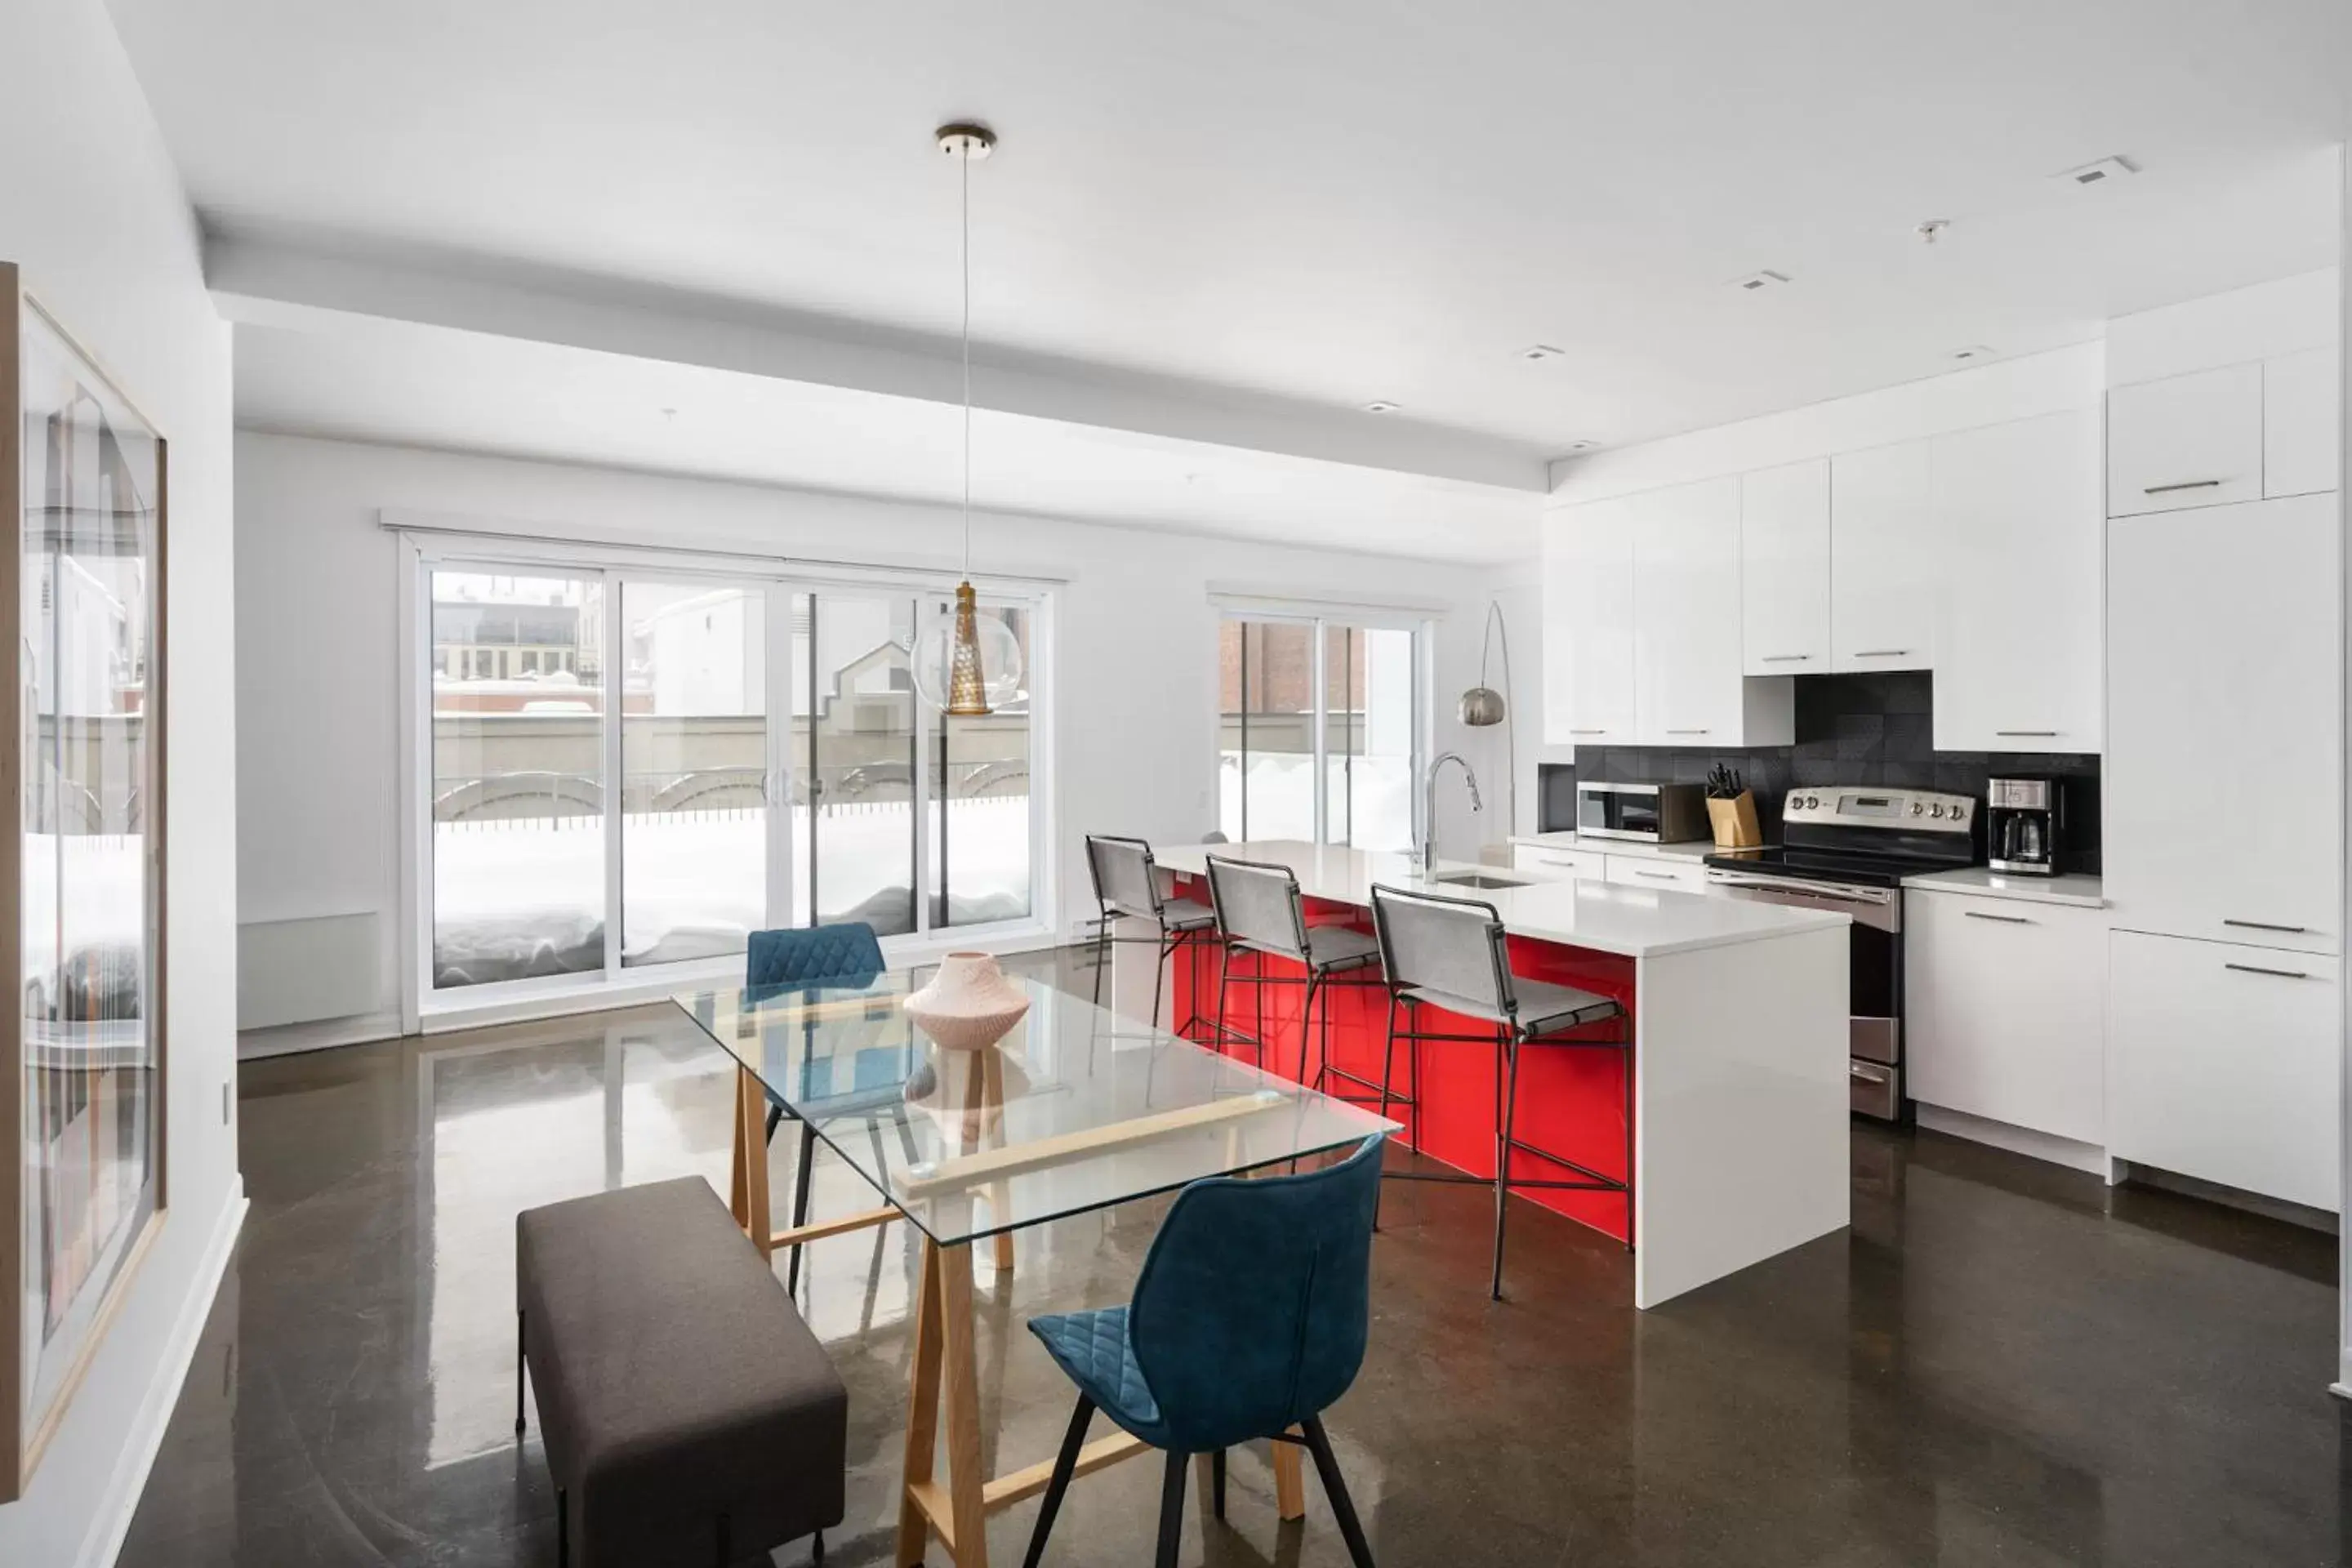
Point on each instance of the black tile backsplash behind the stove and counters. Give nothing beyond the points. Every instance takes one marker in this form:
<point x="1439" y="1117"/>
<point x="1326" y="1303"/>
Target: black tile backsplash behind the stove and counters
<point x="1852" y="730"/>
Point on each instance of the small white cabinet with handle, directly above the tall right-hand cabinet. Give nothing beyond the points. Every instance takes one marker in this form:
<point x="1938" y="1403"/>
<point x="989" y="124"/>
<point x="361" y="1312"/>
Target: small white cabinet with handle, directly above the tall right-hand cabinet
<point x="2186" y="441"/>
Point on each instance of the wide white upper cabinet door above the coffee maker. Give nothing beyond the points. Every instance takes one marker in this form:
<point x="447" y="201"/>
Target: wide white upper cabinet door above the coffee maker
<point x="2019" y="601"/>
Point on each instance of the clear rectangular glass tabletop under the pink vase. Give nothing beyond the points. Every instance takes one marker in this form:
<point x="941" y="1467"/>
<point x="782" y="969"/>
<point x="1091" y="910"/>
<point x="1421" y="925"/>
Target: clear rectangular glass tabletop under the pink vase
<point x="1076" y="1108"/>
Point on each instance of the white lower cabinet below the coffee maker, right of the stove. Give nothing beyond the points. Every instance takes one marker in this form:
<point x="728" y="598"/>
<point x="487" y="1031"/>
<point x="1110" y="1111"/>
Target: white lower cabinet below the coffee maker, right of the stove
<point x="2005" y="1012"/>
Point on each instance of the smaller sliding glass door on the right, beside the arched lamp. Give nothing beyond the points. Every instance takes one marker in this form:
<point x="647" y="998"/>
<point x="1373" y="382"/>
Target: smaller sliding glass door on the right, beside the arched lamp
<point x="1328" y="699"/>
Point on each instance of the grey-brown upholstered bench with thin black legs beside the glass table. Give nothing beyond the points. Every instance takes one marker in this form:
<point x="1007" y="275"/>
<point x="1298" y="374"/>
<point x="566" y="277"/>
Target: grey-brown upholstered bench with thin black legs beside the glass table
<point x="688" y="1414"/>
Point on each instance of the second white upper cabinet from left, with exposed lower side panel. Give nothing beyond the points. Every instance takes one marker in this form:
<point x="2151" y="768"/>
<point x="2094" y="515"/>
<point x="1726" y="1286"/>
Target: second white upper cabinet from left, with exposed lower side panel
<point x="1688" y="671"/>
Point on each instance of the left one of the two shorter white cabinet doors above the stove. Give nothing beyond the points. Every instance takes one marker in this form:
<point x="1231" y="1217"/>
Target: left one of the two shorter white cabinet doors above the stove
<point x="1786" y="570"/>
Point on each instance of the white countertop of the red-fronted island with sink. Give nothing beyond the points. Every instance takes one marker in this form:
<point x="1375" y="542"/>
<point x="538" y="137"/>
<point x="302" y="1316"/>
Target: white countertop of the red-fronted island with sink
<point x="1596" y="916"/>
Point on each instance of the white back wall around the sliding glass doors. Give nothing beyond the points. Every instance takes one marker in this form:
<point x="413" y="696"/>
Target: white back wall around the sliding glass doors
<point x="319" y="652"/>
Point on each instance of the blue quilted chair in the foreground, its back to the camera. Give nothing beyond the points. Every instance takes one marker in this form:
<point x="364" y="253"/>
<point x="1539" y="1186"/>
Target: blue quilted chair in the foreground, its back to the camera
<point x="1250" y="1320"/>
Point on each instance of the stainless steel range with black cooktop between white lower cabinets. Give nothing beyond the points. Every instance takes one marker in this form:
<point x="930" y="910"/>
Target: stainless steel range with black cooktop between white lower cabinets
<point x="1850" y="847"/>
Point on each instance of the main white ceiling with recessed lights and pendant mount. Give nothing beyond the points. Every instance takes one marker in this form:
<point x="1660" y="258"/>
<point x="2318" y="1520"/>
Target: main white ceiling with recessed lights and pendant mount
<point x="1321" y="201"/>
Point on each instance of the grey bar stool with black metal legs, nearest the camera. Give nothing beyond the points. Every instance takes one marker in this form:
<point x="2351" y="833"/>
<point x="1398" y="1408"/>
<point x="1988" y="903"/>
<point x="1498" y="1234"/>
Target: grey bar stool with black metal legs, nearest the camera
<point x="1450" y="953"/>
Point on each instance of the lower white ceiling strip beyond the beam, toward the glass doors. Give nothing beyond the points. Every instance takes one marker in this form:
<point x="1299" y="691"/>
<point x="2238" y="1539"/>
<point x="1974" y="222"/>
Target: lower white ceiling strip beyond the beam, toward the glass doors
<point x="465" y="391"/>
